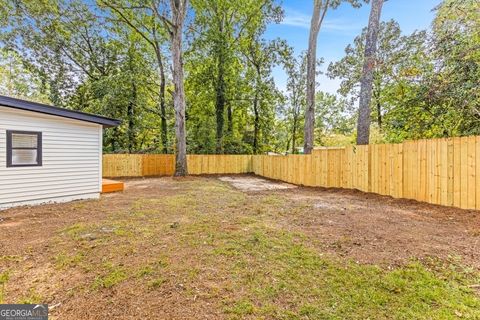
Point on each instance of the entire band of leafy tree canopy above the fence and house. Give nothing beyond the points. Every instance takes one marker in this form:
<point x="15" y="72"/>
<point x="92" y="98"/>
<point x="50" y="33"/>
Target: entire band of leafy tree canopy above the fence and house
<point x="114" y="58"/>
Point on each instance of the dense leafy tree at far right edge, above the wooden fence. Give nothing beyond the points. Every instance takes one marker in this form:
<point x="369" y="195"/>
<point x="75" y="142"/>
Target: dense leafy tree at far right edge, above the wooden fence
<point x="437" y="94"/>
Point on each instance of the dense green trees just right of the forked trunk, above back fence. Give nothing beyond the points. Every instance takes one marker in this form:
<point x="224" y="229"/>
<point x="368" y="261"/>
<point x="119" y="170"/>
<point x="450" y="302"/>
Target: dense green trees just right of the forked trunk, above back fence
<point x="231" y="94"/>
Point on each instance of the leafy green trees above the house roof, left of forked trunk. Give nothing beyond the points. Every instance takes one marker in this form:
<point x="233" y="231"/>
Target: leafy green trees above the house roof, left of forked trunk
<point x="83" y="63"/>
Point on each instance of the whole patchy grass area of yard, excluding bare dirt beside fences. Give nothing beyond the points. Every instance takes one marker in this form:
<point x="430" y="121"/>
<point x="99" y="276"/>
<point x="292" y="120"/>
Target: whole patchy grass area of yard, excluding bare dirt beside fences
<point x="209" y="251"/>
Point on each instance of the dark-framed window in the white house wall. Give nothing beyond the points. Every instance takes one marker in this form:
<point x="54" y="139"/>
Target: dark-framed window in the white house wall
<point x="24" y="149"/>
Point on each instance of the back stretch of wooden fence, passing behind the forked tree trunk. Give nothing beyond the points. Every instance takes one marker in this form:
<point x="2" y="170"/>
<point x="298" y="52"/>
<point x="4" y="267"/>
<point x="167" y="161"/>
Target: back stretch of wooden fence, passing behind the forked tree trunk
<point x="144" y="165"/>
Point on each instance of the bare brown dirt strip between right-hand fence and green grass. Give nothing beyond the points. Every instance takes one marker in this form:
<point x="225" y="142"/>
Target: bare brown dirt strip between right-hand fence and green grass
<point x="376" y="229"/>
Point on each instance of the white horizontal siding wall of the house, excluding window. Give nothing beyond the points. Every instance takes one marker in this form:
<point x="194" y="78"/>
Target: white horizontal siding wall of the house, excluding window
<point x="71" y="155"/>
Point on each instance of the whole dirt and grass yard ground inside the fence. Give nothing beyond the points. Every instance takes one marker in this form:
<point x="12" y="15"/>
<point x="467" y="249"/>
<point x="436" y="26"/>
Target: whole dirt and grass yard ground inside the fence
<point x="242" y="248"/>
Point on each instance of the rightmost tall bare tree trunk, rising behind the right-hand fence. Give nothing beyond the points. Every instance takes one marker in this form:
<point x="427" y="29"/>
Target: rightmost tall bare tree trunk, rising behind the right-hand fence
<point x="366" y="82"/>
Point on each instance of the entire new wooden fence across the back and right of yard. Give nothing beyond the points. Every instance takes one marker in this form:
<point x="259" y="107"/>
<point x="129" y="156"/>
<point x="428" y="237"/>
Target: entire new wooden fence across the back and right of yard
<point x="438" y="171"/>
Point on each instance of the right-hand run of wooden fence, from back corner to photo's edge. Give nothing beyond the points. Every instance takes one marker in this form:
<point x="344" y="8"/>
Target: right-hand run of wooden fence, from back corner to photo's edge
<point x="438" y="171"/>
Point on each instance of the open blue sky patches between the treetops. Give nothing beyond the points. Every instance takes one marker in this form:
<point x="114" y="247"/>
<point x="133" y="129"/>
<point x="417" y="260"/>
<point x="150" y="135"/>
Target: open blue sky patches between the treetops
<point x="339" y="29"/>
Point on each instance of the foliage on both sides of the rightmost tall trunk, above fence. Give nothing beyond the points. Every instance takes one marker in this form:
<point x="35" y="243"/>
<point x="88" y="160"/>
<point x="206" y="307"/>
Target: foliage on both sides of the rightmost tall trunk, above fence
<point x="425" y="84"/>
